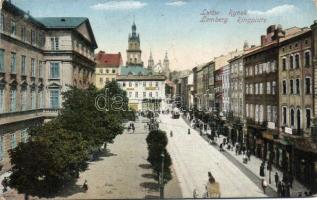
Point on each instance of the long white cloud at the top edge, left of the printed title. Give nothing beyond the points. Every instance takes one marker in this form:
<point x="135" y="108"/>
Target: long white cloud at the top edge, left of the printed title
<point x="118" y="5"/>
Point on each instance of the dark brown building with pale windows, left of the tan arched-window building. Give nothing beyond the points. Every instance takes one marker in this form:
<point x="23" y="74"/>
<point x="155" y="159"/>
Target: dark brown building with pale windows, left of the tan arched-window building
<point x="261" y="96"/>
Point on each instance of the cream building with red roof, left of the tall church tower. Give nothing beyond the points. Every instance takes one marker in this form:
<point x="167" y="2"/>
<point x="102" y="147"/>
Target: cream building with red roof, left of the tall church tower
<point x="107" y="68"/>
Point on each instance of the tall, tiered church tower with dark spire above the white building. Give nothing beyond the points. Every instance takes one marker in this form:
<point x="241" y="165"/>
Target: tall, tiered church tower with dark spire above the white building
<point x="134" y="51"/>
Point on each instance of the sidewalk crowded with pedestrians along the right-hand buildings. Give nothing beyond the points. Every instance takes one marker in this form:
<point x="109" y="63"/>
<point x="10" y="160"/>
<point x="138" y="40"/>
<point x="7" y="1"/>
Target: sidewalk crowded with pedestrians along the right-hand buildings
<point x="284" y="184"/>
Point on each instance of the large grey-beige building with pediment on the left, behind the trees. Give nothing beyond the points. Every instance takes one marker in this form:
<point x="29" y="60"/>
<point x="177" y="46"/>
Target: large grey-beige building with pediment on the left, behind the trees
<point x="38" y="60"/>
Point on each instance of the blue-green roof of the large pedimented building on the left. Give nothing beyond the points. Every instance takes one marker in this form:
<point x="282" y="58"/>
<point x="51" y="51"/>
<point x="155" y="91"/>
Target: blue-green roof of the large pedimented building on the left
<point x="61" y="22"/>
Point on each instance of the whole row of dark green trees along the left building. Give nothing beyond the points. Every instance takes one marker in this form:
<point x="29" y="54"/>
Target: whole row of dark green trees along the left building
<point x="58" y="150"/>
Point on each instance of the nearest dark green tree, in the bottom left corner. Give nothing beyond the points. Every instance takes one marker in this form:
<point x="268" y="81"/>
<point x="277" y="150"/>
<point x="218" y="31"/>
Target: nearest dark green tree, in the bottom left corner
<point x="53" y="157"/>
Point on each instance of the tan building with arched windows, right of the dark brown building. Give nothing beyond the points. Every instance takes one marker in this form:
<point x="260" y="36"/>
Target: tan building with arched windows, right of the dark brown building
<point x="296" y="101"/>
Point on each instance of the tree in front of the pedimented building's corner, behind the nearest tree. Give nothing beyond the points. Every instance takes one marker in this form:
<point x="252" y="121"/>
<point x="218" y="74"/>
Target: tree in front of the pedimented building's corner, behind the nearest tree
<point x="80" y="114"/>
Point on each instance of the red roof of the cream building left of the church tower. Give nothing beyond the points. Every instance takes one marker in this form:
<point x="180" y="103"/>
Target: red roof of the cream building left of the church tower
<point x="108" y="59"/>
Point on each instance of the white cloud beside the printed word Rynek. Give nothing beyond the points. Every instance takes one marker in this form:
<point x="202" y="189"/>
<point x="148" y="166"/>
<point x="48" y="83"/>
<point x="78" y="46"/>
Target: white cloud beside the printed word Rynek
<point x="278" y="10"/>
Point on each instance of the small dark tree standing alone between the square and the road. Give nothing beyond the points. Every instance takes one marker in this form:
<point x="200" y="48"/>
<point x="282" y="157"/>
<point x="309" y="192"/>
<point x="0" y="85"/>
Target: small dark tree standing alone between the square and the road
<point x="157" y="142"/>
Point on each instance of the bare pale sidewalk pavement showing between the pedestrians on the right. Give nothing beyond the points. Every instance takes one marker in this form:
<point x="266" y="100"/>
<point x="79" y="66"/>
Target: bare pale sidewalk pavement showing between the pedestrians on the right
<point x="254" y="166"/>
